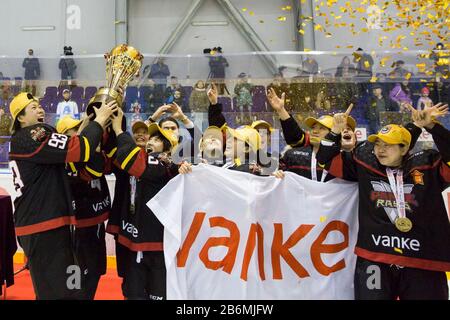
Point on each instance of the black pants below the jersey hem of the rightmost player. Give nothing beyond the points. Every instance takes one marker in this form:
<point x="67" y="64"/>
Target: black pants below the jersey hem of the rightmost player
<point x="380" y="281"/>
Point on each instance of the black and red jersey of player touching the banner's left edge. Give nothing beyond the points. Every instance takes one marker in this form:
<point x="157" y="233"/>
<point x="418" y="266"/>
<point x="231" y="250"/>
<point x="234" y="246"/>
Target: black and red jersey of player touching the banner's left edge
<point x="139" y="229"/>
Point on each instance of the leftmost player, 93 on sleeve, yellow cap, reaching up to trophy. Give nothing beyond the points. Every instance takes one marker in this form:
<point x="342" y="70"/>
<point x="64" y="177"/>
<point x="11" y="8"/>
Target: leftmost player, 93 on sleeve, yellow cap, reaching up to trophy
<point x="43" y="207"/>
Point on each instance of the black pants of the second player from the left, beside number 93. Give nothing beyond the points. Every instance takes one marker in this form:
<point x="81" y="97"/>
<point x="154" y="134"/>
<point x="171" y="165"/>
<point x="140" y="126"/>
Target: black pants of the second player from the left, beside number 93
<point x="90" y="252"/>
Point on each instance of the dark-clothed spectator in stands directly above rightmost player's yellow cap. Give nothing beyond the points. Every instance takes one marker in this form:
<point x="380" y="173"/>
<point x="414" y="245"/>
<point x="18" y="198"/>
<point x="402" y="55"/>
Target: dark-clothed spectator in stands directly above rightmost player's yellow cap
<point x="377" y="103"/>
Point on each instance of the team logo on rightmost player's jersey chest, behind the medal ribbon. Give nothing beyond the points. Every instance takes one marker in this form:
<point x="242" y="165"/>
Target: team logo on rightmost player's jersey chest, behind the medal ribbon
<point x="384" y="197"/>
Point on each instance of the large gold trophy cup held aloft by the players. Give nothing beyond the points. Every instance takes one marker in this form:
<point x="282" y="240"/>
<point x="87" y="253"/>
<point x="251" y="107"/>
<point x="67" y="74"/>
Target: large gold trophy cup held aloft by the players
<point x="122" y="65"/>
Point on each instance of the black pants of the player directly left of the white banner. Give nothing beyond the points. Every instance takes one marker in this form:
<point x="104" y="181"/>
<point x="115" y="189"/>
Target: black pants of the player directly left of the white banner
<point x="145" y="280"/>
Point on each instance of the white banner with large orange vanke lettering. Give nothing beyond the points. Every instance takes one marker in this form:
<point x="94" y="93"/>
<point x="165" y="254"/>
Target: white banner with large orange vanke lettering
<point x="233" y="235"/>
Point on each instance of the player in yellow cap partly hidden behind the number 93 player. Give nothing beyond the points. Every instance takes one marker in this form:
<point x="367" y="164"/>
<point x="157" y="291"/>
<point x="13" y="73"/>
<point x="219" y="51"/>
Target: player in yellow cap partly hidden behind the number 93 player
<point x="92" y="203"/>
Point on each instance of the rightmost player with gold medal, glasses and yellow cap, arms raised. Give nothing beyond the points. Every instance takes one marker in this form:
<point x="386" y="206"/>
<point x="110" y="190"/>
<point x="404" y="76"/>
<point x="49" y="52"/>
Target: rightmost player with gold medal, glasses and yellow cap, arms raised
<point x="404" y="231"/>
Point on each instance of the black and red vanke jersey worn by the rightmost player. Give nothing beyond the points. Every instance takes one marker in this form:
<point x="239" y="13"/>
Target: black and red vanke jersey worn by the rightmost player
<point x="425" y="174"/>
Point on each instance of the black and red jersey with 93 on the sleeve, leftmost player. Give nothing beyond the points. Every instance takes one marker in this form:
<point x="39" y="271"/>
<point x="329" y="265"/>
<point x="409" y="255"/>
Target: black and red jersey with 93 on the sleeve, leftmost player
<point x="37" y="158"/>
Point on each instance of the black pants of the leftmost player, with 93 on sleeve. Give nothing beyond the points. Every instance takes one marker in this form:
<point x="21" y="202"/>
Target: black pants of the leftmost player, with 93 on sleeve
<point x="51" y="262"/>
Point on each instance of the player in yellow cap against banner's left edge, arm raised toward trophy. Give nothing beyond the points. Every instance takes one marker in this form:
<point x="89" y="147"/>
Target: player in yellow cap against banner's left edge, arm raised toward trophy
<point x="140" y="231"/>
